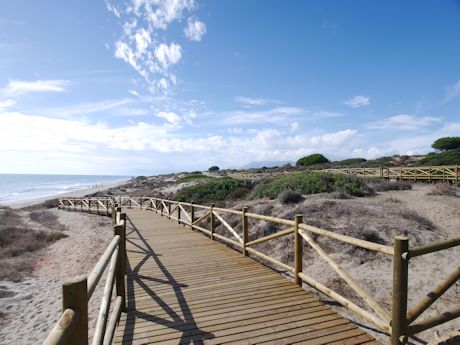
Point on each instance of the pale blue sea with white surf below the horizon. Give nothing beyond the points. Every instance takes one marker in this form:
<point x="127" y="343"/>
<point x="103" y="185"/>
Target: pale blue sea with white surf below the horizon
<point x="17" y="188"/>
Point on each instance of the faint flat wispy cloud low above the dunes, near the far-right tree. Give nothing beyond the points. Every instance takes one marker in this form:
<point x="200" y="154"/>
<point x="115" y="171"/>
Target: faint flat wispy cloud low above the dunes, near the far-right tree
<point x="405" y="122"/>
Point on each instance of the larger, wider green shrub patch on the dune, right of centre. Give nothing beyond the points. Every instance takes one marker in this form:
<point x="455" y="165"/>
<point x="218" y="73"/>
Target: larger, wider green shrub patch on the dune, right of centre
<point x="311" y="183"/>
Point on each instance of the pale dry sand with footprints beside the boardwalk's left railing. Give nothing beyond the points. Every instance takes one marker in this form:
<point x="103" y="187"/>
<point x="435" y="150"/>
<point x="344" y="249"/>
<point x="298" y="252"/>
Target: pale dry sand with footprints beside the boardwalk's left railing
<point x="33" y="305"/>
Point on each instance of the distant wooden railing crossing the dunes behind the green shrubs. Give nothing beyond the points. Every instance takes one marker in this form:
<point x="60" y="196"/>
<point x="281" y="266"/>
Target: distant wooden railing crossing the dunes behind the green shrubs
<point x="446" y="173"/>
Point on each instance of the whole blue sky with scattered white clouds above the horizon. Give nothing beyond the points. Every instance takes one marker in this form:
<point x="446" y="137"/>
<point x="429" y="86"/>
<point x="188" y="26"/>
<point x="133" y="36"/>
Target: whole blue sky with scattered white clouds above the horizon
<point x="149" y="86"/>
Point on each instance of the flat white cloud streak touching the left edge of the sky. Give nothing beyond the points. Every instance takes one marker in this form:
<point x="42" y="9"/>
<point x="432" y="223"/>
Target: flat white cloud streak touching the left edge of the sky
<point x="17" y="88"/>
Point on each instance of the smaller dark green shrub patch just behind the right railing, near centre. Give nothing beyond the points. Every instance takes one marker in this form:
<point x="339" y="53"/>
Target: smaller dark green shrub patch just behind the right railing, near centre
<point x="213" y="190"/>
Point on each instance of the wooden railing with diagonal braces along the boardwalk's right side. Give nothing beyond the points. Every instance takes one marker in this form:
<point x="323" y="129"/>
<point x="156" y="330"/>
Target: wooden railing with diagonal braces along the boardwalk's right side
<point x="399" y="322"/>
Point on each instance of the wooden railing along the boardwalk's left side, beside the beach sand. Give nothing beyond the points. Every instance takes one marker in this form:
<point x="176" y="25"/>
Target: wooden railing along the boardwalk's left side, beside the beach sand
<point x="72" y="327"/>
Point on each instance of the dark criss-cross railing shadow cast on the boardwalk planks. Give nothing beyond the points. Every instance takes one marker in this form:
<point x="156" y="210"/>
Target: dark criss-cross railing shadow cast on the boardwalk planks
<point x="185" y="322"/>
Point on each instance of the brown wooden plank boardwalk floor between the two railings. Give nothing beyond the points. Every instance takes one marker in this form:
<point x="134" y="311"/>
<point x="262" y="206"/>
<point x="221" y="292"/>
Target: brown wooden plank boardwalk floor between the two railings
<point x="184" y="288"/>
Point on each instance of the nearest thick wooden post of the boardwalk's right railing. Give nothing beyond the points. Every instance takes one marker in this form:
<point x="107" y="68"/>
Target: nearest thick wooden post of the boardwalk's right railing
<point x="400" y="281"/>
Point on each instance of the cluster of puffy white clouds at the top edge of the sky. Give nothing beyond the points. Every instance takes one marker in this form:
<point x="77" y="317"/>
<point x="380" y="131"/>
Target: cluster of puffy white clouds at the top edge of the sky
<point x="143" y="43"/>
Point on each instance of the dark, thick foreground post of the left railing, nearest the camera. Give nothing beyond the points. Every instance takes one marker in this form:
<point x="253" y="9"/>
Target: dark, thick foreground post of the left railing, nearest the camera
<point x="75" y="296"/>
